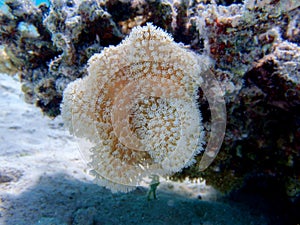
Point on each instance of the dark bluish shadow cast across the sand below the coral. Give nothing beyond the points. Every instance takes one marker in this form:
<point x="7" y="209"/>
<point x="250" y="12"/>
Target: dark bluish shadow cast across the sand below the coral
<point x="59" y="200"/>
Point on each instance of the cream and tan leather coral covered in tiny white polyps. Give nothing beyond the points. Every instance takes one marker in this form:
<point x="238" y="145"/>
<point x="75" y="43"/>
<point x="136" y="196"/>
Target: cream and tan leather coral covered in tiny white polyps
<point x="138" y="108"/>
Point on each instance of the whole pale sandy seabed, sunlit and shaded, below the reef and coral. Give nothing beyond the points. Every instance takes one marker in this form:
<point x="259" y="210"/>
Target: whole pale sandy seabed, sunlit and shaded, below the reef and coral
<point x="44" y="180"/>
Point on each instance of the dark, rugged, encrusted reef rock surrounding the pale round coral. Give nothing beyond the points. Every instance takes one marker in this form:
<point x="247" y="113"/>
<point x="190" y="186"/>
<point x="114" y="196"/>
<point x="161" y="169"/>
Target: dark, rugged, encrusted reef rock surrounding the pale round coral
<point x="256" y="53"/>
